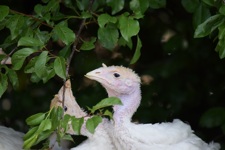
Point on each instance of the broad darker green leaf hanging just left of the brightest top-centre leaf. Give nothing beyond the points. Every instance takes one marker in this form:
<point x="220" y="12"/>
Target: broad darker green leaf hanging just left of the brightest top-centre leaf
<point x="108" y="36"/>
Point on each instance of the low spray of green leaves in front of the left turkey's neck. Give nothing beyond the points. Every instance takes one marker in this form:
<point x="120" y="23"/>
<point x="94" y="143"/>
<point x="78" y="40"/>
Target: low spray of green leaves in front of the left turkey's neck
<point x="42" y="125"/>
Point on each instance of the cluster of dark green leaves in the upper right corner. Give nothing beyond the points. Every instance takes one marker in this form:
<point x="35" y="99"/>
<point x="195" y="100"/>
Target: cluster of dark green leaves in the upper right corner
<point x="208" y="23"/>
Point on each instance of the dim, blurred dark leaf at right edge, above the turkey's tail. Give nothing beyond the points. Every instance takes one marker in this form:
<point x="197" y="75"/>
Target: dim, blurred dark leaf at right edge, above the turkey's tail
<point x="214" y="117"/>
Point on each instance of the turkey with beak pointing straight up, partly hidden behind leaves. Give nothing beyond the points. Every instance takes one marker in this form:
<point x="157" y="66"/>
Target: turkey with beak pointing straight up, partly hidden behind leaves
<point x="100" y="140"/>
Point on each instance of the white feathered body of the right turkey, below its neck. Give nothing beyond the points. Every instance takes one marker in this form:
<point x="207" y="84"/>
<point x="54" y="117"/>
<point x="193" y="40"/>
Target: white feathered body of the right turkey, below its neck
<point x="164" y="136"/>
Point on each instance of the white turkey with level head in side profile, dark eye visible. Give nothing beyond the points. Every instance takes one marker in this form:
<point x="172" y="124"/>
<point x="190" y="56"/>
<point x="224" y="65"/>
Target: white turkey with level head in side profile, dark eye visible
<point x="123" y="83"/>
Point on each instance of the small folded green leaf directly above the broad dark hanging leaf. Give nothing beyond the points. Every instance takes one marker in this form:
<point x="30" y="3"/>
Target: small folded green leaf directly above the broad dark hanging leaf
<point x="104" y="19"/>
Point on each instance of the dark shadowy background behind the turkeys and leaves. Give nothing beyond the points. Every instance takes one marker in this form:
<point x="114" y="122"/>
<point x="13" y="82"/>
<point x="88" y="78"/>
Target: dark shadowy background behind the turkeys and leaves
<point x="186" y="75"/>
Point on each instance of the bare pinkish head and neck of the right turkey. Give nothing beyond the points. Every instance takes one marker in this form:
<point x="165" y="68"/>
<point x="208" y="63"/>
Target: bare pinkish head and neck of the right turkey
<point x="120" y="82"/>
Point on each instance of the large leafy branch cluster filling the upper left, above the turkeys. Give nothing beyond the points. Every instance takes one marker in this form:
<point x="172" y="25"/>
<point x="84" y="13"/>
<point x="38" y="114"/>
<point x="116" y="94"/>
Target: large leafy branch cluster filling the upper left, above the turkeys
<point x="31" y="36"/>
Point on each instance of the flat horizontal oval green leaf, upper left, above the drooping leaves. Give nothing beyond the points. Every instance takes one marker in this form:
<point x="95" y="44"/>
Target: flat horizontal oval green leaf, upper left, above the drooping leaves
<point x="29" y="41"/>
